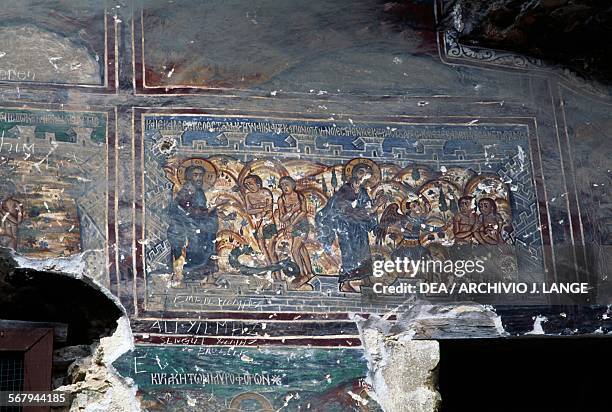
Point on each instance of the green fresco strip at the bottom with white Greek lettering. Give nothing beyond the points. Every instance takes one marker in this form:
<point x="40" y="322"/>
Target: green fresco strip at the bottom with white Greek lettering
<point x="217" y="379"/>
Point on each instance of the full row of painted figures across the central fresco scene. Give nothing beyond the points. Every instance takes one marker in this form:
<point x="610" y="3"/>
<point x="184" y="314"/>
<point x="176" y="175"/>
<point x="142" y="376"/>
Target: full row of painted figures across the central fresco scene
<point x="349" y="216"/>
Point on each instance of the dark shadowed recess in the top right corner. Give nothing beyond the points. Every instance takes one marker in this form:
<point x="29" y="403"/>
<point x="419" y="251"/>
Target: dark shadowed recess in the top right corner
<point x="572" y="33"/>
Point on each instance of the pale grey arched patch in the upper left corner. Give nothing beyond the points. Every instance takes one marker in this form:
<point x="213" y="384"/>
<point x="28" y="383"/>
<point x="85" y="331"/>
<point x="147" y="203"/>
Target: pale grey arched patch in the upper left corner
<point x="31" y="54"/>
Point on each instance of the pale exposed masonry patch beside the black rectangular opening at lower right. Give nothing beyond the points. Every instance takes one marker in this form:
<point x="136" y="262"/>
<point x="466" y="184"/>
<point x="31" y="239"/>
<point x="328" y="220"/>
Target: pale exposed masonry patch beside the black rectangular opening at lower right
<point x="402" y="360"/>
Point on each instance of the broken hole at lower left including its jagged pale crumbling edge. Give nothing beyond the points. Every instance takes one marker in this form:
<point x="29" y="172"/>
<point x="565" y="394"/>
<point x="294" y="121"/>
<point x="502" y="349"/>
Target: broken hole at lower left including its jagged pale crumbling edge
<point x="29" y="291"/>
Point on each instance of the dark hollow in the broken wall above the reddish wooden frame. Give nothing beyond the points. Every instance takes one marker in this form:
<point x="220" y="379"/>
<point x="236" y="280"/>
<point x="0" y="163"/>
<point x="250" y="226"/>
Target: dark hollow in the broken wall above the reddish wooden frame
<point x="35" y="296"/>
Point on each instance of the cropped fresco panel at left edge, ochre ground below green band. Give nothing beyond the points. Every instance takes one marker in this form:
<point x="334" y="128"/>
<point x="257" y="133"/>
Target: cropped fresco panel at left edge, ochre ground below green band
<point x="53" y="186"/>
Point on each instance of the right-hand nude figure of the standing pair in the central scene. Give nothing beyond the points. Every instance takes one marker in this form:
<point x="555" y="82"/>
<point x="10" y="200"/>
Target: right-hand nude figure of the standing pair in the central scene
<point x="294" y="224"/>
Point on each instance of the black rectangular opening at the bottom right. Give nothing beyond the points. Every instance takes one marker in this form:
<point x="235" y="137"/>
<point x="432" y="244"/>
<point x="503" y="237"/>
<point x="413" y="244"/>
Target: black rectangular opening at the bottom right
<point x="525" y="375"/>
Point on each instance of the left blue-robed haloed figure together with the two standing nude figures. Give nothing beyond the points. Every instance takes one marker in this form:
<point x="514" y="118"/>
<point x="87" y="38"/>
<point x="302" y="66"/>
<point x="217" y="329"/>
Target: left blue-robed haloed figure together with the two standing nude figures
<point x="194" y="223"/>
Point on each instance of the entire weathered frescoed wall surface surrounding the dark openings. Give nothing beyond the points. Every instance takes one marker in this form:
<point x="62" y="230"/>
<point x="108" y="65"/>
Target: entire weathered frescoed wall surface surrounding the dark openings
<point x="248" y="231"/>
